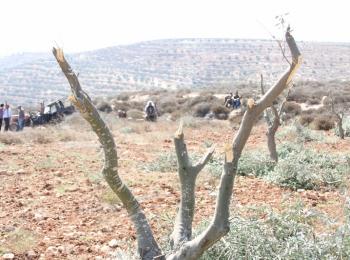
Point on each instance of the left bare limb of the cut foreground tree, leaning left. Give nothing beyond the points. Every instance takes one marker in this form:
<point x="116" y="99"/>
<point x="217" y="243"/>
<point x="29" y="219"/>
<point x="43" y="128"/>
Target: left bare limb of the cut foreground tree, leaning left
<point x="147" y="246"/>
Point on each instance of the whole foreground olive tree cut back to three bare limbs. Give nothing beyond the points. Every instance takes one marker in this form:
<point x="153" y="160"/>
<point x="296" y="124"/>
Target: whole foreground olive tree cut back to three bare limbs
<point x="184" y="246"/>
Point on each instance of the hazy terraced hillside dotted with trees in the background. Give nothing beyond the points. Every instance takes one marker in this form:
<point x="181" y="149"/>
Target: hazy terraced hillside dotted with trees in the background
<point x="180" y="63"/>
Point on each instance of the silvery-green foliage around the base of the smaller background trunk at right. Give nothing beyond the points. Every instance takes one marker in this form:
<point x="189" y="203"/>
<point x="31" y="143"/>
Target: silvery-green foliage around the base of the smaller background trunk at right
<point x="298" y="168"/>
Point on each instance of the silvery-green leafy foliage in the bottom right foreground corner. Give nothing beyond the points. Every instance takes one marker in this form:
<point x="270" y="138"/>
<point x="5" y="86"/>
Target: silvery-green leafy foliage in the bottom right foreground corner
<point x="289" y="235"/>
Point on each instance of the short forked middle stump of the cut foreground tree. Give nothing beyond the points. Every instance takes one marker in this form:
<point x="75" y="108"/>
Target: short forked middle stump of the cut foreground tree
<point x="188" y="174"/>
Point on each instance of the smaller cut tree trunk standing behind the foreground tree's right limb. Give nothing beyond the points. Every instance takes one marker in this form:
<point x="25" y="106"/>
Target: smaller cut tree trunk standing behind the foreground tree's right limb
<point x="272" y="125"/>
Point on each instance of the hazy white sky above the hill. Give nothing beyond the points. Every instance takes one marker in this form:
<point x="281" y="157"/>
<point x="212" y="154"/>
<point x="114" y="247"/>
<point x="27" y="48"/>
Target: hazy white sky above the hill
<point x="79" y="25"/>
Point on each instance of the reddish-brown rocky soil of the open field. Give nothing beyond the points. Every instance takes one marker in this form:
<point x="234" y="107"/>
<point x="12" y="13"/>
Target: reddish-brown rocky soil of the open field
<point x="54" y="203"/>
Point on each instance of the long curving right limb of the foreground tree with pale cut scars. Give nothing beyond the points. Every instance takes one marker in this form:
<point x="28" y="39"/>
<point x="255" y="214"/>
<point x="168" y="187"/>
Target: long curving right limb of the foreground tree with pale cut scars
<point x="220" y="223"/>
